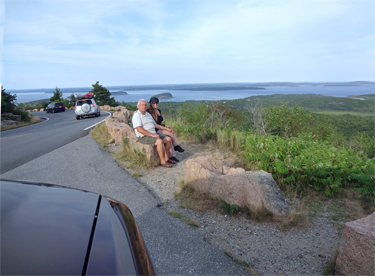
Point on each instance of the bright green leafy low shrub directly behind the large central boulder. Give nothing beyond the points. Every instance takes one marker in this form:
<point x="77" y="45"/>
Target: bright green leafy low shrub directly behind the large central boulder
<point x="306" y="162"/>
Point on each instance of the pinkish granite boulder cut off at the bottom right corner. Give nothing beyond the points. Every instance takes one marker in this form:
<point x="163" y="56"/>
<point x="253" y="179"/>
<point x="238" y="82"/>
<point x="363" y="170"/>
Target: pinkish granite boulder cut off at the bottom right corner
<point x="357" y="250"/>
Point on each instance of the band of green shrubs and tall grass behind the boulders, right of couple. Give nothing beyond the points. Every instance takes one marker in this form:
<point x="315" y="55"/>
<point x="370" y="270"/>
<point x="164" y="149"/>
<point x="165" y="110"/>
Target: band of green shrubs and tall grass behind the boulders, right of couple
<point x="301" y="152"/>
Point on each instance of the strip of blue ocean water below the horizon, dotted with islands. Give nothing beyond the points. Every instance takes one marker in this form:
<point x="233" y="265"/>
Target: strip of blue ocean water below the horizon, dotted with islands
<point x="183" y="95"/>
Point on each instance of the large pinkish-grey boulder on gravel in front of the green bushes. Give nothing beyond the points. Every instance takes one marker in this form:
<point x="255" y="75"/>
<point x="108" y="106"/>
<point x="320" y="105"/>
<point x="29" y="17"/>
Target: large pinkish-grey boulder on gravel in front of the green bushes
<point x="251" y="189"/>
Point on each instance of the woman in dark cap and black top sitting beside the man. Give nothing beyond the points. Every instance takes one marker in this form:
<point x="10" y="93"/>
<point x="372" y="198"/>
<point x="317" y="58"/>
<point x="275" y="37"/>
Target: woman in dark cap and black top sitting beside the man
<point x="156" y="114"/>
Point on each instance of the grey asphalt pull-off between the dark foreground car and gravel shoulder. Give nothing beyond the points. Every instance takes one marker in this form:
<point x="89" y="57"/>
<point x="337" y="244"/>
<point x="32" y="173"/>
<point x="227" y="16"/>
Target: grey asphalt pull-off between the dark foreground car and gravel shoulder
<point x="175" y="248"/>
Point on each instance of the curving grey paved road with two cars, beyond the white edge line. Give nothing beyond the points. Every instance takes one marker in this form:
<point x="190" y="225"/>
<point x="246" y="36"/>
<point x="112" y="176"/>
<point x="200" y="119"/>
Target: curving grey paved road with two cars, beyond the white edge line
<point x="21" y="145"/>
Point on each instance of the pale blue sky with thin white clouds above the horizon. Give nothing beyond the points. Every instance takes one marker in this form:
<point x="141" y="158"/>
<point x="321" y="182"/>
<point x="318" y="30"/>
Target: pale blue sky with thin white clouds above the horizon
<point x="74" y="43"/>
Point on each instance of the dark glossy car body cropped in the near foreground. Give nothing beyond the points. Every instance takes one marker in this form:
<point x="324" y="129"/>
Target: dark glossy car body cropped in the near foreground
<point x="54" y="230"/>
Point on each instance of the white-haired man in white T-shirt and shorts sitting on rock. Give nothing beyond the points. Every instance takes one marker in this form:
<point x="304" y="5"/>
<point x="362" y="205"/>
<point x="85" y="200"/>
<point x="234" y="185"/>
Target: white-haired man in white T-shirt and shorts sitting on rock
<point x="144" y="126"/>
